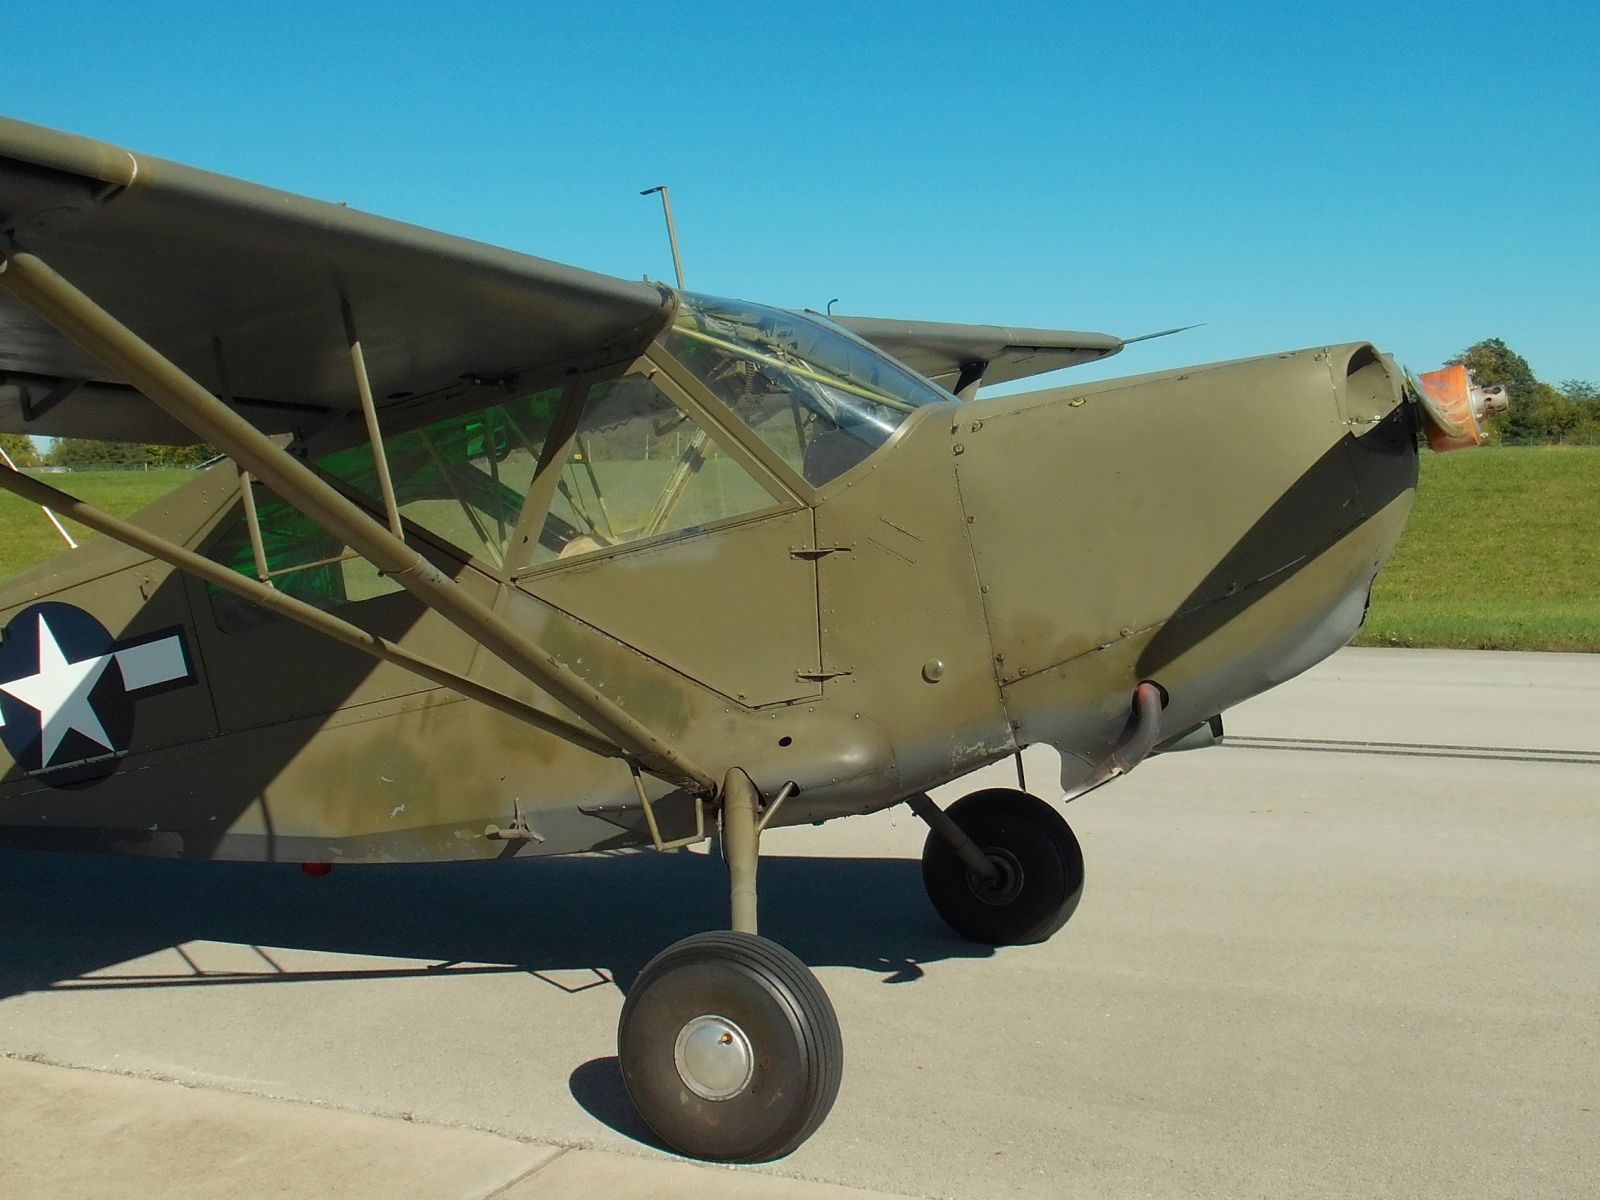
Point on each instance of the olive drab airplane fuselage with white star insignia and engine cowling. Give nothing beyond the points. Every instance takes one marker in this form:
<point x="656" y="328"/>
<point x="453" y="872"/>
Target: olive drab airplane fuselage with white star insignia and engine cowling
<point x="1001" y="574"/>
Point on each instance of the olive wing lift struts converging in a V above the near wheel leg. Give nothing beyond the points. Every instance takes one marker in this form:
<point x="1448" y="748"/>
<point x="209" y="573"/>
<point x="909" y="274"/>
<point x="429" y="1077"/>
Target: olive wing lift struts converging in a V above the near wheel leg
<point x="614" y="732"/>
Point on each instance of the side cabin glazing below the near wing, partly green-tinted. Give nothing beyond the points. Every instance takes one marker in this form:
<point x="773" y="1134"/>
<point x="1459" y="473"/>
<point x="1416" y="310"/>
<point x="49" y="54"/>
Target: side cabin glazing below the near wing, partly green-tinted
<point x="625" y="466"/>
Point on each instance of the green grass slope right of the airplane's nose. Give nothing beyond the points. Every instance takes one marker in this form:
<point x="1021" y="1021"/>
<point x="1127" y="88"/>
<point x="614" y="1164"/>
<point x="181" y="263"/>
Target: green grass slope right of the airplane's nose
<point x="1503" y="553"/>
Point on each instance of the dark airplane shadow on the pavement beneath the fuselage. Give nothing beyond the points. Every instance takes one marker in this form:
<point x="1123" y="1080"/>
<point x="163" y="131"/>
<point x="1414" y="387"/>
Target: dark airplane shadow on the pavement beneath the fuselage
<point x="575" y="922"/>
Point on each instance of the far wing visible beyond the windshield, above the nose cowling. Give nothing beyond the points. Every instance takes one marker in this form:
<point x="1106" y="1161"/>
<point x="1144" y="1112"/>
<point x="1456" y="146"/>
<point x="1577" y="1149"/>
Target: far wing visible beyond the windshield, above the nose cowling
<point x="959" y="356"/>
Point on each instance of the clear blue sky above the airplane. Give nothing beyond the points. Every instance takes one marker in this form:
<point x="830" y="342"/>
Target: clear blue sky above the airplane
<point x="1417" y="175"/>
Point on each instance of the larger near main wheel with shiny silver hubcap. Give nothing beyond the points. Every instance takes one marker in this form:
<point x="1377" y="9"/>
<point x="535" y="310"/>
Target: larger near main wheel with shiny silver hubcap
<point x="730" y="1049"/>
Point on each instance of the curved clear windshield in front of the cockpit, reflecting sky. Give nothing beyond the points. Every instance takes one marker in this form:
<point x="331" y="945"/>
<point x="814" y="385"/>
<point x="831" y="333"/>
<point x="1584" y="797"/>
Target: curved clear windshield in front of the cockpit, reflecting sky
<point x="814" y="393"/>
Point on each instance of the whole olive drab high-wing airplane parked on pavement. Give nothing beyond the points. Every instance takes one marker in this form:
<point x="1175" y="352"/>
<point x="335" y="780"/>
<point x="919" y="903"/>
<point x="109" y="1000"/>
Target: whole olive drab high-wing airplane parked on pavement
<point x="506" y="559"/>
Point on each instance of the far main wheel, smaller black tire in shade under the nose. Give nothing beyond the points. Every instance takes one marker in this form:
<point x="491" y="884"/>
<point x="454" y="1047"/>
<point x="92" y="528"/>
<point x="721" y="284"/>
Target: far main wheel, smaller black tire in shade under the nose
<point x="1039" y="870"/>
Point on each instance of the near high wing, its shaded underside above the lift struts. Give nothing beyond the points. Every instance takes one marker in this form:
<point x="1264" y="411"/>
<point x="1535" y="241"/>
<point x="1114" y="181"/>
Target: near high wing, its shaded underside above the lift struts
<point x="247" y="290"/>
